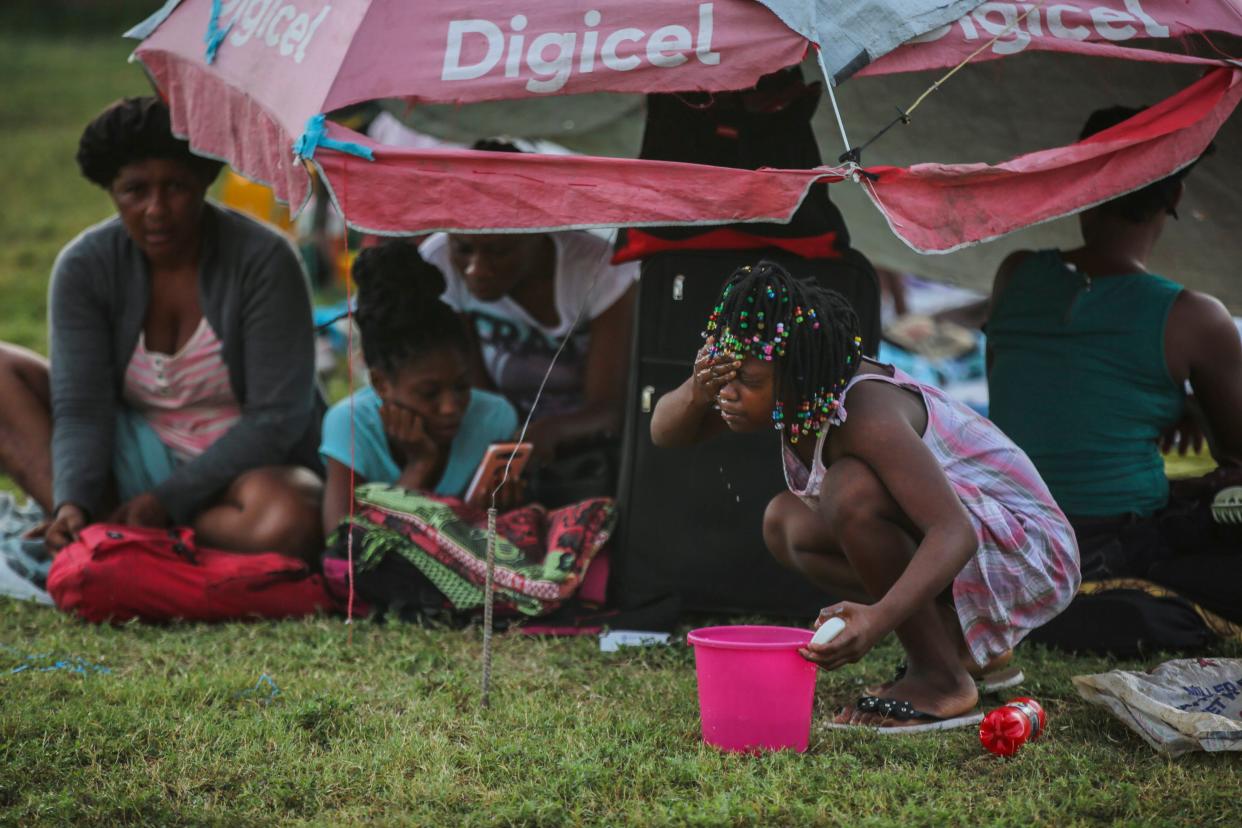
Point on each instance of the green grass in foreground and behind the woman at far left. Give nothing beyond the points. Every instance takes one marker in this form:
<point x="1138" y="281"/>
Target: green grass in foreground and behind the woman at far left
<point x="388" y="729"/>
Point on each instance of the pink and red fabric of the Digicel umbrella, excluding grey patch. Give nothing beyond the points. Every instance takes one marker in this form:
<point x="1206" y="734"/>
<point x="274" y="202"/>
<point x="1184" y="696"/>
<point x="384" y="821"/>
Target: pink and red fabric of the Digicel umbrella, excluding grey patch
<point x="284" y="61"/>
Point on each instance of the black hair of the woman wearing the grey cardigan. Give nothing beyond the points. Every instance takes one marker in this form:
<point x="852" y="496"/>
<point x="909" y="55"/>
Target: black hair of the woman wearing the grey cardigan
<point x="135" y="130"/>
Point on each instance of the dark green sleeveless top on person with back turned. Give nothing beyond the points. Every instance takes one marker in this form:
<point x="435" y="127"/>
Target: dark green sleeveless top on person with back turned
<point x="1079" y="380"/>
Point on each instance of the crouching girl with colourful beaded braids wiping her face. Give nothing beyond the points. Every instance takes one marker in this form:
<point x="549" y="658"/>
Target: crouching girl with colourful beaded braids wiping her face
<point x="915" y="508"/>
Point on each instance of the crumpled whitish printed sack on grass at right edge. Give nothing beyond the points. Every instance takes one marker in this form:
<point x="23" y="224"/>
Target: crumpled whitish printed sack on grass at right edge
<point x="1182" y="706"/>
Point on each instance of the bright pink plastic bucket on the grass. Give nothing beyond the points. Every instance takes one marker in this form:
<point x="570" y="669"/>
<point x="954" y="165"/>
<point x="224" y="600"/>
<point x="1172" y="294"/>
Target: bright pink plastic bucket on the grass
<point x="756" y="692"/>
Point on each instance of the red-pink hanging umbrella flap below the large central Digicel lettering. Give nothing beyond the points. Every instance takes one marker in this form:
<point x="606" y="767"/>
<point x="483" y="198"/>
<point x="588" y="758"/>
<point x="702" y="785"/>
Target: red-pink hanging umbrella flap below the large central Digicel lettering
<point x="470" y="189"/>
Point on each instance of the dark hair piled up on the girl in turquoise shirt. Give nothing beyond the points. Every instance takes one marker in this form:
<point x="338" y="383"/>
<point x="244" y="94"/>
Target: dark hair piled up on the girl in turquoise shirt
<point x="399" y="312"/>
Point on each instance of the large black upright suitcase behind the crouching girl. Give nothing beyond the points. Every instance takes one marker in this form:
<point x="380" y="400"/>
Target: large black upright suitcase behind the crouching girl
<point x="692" y="518"/>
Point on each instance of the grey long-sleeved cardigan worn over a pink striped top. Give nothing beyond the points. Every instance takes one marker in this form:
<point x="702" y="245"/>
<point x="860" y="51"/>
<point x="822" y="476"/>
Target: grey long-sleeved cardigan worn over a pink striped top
<point x="254" y="295"/>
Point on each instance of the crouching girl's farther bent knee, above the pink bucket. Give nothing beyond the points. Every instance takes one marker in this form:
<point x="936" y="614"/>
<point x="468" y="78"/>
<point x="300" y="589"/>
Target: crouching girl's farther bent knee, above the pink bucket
<point x="800" y="541"/>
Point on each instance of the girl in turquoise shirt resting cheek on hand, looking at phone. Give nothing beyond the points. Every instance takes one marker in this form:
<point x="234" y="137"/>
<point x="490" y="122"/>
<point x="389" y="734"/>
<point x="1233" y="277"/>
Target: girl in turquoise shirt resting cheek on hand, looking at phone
<point x="420" y="424"/>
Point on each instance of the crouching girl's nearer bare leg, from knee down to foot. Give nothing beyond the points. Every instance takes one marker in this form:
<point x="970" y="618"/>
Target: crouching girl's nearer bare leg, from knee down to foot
<point x="879" y="542"/>
